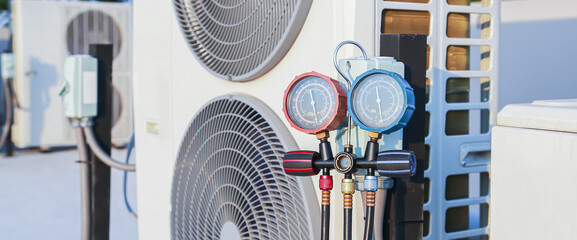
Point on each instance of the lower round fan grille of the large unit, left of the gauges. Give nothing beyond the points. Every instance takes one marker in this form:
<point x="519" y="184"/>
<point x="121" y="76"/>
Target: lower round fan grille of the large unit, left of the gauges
<point x="229" y="170"/>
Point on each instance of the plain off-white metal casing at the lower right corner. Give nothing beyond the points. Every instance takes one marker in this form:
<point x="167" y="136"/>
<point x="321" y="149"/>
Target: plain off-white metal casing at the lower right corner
<point x="532" y="171"/>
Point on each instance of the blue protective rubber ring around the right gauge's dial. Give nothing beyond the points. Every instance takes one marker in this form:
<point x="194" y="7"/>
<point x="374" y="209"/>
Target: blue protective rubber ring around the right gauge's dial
<point x="409" y="103"/>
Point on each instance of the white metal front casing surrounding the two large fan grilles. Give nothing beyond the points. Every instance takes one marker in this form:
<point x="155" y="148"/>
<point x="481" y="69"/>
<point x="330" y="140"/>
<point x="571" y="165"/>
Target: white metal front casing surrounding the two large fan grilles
<point x="173" y="86"/>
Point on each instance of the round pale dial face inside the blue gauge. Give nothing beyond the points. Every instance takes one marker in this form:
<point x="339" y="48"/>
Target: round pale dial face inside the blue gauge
<point x="378" y="100"/>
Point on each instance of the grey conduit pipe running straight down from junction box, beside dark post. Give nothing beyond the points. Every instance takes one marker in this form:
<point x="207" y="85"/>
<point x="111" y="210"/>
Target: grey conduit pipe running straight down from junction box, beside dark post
<point x="84" y="184"/>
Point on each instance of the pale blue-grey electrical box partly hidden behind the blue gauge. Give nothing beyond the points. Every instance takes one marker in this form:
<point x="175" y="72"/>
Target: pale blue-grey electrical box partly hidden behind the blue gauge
<point x="352" y="68"/>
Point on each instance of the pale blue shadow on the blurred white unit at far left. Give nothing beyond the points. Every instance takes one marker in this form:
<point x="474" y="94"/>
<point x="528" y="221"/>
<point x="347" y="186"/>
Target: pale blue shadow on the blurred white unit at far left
<point x="43" y="78"/>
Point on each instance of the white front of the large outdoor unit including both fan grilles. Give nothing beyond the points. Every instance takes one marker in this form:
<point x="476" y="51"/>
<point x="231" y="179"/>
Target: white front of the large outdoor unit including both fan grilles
<point x="209" y="123"/>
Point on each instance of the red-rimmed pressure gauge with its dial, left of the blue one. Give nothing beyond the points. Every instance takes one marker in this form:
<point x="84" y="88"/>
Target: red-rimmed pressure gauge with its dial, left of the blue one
<point x="315" y="103"/>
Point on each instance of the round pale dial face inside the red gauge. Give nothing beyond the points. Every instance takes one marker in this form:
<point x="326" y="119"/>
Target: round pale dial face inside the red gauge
<point x="311" y="103"/>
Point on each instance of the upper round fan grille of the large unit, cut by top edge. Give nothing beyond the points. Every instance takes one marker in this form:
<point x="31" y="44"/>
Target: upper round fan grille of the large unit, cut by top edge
<point x="240" y="40"/>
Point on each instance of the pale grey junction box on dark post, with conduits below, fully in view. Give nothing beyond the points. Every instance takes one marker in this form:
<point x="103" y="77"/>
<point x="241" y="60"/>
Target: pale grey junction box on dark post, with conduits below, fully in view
<point x="80" y="89"/>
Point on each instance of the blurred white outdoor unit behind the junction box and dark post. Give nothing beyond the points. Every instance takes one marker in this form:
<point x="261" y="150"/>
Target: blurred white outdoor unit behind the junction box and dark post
<point x="45" y="33"/>
